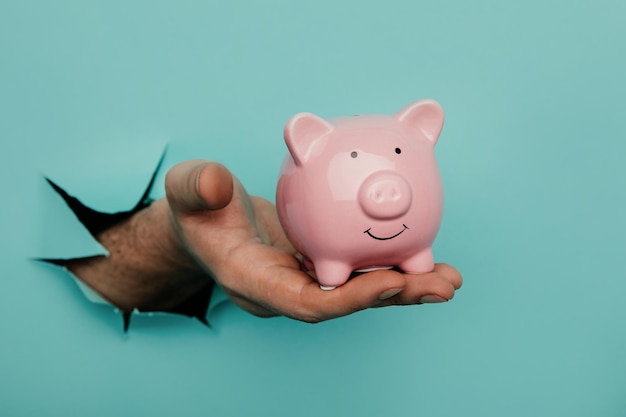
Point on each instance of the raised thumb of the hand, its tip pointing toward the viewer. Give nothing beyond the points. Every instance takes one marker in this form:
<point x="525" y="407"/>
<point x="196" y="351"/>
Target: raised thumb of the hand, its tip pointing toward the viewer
<point x="198" y="185"/>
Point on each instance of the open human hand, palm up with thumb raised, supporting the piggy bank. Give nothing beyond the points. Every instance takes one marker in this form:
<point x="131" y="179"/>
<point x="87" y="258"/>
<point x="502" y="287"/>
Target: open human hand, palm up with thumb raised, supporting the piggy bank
<point x="238" y="240"/>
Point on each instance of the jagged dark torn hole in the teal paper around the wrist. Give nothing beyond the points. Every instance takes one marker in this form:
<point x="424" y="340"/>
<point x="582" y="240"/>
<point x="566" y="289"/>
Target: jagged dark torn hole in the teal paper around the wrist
<point x="198" y="306"/>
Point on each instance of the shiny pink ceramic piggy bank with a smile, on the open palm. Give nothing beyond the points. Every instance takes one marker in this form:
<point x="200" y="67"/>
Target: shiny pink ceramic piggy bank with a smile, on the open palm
<point x="363" y="192"/>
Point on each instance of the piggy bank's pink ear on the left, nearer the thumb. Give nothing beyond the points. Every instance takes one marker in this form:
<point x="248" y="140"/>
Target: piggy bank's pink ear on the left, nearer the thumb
<point x="301" y="131"/>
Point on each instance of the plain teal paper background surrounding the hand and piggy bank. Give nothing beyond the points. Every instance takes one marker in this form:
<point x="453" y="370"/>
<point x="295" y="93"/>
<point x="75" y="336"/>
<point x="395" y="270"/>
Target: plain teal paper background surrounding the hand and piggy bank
<point x="532" y="157"/>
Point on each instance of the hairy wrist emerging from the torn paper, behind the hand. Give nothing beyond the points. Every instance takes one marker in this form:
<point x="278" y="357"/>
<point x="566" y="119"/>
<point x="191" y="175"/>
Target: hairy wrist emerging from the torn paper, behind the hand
<point x="148" y="267"/>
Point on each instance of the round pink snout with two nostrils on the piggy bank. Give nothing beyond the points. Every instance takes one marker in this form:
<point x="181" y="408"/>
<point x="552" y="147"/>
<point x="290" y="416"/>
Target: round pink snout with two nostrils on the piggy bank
<point x="385" y="195"/>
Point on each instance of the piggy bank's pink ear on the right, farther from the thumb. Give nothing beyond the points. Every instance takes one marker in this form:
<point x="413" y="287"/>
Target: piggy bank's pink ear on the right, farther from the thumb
<point x="425" y="116"/>
